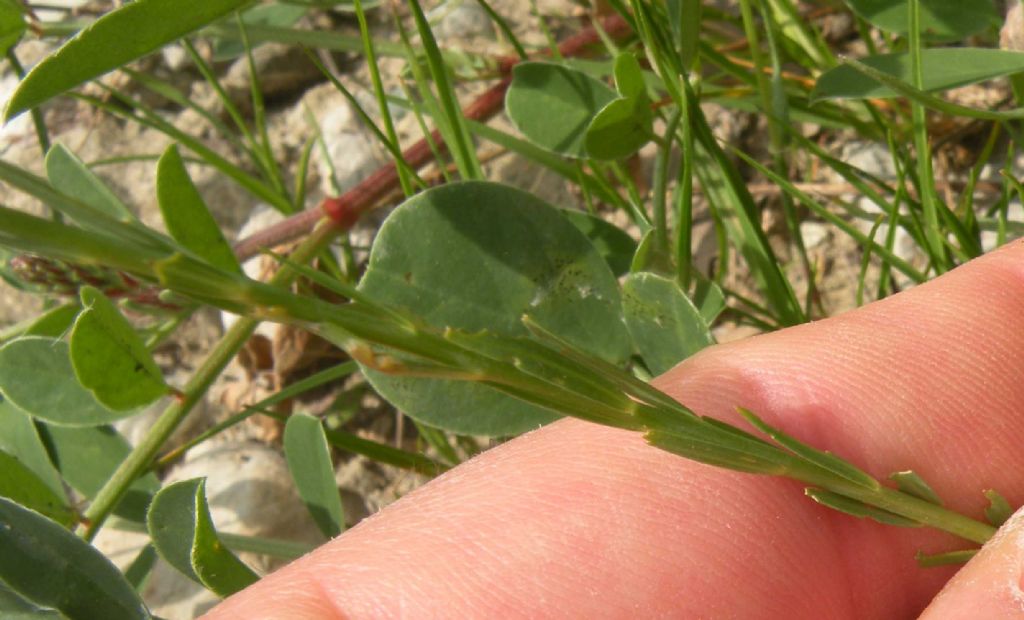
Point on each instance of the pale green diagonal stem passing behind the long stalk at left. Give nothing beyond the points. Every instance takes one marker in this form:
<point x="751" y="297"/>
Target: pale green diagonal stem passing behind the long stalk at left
<point x="138" y="462"/>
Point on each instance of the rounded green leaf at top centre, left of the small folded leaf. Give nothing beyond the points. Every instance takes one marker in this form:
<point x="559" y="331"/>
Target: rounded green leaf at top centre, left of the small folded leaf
<point x="553" y="106"/>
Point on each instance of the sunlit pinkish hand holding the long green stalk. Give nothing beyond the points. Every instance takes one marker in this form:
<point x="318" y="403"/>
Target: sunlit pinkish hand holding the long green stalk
<point x="576" y="520"/>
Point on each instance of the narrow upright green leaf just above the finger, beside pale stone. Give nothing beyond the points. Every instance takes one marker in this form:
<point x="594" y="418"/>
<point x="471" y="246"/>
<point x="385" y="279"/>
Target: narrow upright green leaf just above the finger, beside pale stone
<point x="310" y="462"/>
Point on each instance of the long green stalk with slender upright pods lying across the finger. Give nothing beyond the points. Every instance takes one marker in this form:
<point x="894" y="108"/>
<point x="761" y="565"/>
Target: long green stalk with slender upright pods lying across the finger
<point x="544" y="370"/>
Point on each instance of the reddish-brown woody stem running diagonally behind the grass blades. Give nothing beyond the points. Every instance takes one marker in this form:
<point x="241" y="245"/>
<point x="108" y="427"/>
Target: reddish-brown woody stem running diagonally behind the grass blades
<point x="345" y="211"/>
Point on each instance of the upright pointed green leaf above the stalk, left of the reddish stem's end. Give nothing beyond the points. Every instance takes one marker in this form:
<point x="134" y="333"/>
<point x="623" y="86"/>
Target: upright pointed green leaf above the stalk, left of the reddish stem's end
<point x="188" y="219"/>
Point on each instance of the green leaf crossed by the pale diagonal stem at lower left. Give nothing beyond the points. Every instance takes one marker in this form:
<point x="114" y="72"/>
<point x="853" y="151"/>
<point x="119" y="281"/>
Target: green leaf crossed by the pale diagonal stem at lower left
<point x="88" y="459"/>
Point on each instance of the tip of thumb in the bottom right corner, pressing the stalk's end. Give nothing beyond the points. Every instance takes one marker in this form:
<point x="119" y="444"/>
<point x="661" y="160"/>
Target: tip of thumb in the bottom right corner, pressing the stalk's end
<point x="992" y="586"/>
